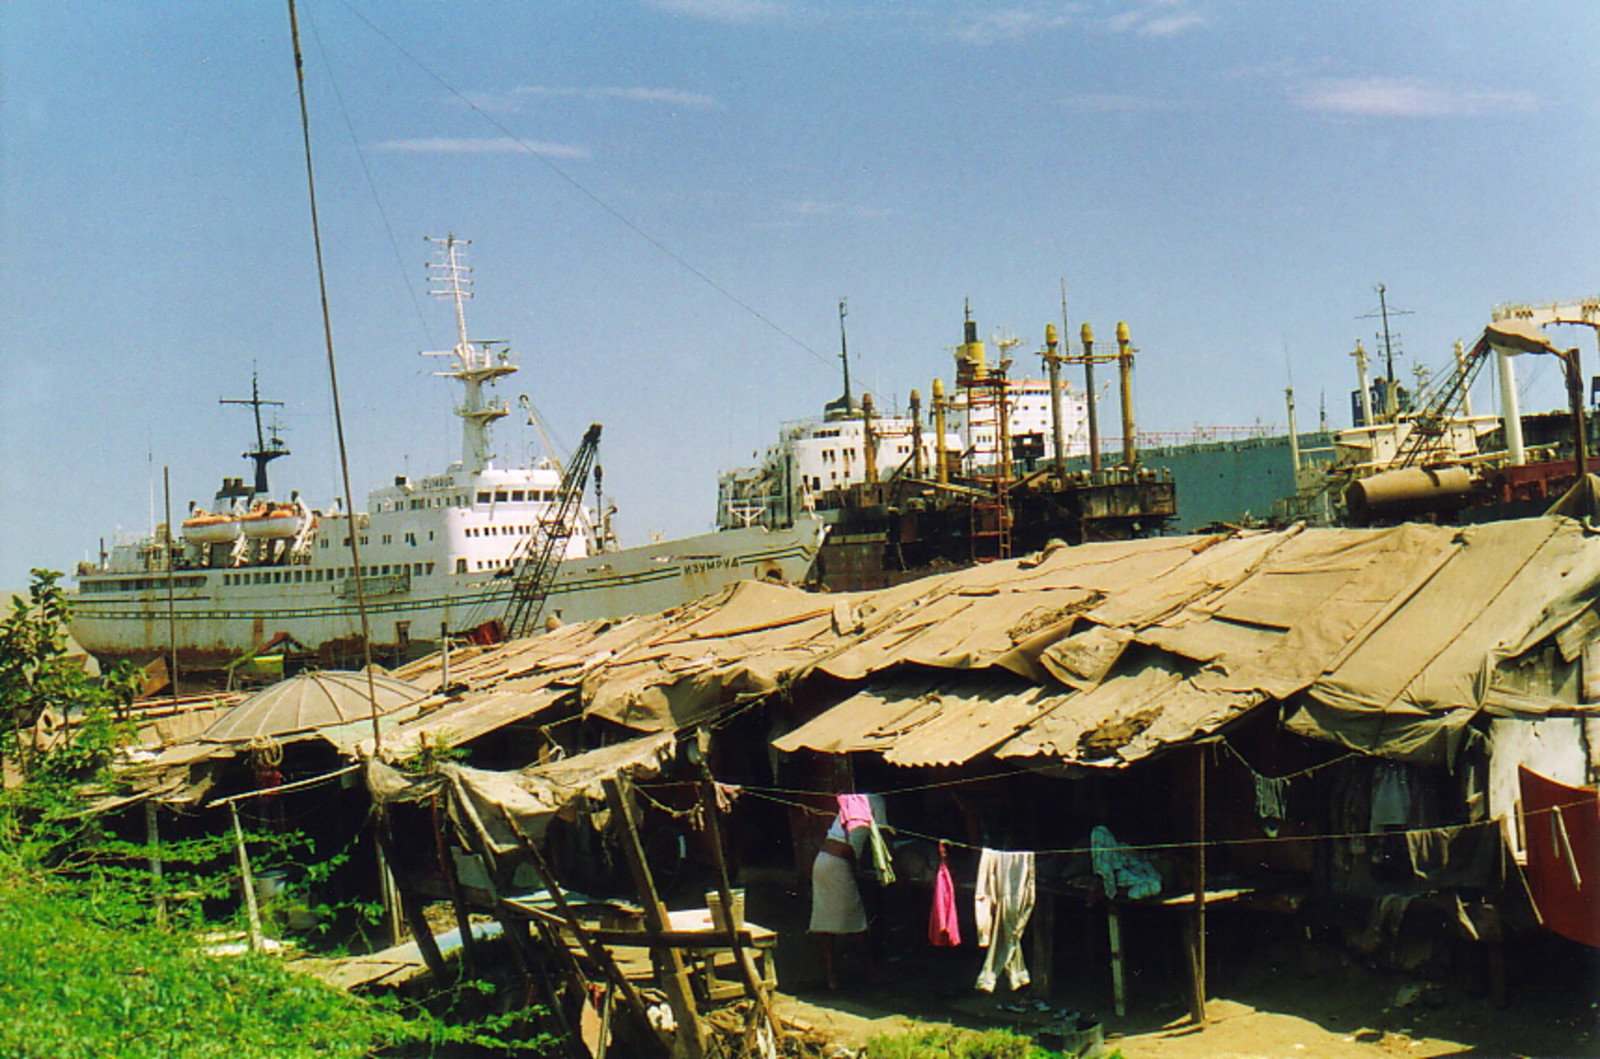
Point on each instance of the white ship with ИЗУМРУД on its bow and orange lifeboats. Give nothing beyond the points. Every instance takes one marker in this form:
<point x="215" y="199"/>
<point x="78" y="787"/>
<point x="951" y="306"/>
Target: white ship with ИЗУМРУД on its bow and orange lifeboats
<point x="436" y="554"/>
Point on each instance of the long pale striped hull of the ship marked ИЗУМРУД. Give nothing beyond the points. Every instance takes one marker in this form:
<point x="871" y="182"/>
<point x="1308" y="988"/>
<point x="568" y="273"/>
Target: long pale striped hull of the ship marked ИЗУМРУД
<point x="220" y="615"/>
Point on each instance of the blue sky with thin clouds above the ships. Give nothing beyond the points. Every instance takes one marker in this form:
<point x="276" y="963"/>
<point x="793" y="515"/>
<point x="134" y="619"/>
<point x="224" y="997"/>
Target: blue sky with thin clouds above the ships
<point x="668" y="201"/>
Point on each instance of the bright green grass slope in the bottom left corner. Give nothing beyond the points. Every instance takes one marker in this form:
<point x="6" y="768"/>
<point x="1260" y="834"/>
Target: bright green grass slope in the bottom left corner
<point x="71" y="989"/>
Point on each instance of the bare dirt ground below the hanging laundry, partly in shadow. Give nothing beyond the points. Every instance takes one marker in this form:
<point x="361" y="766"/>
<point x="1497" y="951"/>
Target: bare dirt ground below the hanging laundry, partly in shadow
<point x="1274" y="991"/>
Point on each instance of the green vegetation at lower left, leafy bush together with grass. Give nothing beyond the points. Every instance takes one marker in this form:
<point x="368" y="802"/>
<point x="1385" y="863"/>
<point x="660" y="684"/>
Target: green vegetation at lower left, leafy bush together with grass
<point x="82" y="970"/>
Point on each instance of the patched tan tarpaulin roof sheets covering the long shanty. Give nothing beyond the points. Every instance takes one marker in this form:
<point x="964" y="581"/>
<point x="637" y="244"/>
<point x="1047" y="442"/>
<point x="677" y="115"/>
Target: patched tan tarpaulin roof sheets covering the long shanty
<point x="1386" y="641"/>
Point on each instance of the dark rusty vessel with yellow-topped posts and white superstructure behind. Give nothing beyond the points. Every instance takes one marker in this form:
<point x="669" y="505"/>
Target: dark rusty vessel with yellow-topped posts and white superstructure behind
<point x="983" y="478"/>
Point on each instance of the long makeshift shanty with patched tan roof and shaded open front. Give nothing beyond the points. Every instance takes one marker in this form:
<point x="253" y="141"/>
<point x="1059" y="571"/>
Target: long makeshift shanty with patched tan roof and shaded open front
<point x="1330" y="722"/>
